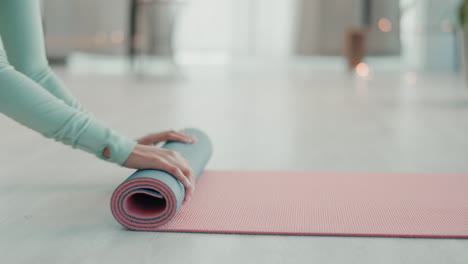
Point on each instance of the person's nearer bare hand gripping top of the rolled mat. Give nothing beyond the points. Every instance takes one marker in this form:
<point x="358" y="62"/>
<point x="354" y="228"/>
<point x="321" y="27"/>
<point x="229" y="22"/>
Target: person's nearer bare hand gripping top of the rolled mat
<point x="149" y="157"/>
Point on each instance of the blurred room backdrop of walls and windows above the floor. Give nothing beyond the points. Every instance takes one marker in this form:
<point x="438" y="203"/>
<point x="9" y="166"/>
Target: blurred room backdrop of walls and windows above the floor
<point x="409" y="35"/>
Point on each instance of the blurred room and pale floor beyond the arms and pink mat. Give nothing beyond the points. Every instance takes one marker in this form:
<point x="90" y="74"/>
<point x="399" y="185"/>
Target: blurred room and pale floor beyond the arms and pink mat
<point x="353" y="85"/>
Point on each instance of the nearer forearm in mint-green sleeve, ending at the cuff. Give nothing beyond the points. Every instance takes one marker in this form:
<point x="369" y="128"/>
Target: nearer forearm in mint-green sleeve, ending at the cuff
<point x="28" y="103"/>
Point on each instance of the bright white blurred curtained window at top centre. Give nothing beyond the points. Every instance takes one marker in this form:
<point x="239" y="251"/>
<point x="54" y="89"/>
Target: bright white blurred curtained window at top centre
<point x="238" y="27"/>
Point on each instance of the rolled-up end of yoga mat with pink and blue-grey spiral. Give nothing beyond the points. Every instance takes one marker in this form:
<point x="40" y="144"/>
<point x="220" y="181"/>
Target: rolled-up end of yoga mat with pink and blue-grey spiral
<point x="150" y="198"/>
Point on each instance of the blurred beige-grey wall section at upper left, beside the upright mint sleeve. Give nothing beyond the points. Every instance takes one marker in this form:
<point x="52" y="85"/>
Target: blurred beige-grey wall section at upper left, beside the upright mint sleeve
<point x="85" y="25"/>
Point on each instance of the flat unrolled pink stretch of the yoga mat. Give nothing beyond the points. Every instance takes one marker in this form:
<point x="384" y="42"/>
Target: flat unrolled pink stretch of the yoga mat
<point x="335" y="204"/>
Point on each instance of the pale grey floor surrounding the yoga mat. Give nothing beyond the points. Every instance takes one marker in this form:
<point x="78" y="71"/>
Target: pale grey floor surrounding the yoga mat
<point x="54" y="201"/>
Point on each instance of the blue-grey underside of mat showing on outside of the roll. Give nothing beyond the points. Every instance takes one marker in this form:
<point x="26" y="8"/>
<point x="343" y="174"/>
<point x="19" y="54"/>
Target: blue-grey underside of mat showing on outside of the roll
<point x="197" y="154"/>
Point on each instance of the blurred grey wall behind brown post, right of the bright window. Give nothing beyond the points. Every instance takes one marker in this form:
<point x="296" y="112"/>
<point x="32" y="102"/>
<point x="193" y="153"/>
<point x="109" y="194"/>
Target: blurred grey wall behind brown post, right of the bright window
<point x="323" y="23"/>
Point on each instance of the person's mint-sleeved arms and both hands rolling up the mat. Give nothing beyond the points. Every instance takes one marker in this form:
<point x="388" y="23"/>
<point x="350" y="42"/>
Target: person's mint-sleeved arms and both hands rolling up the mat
<point x="31" y="94"/>
